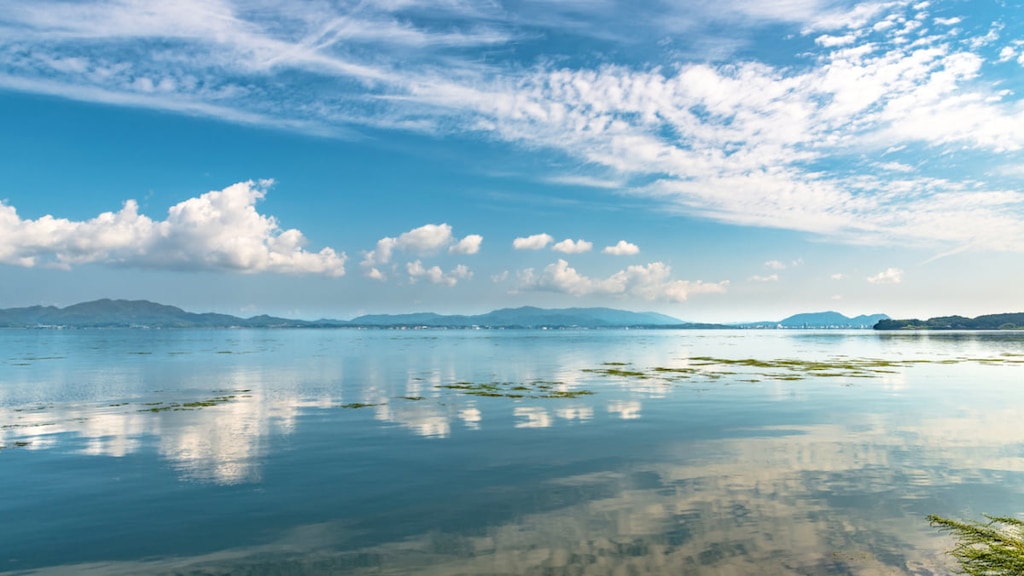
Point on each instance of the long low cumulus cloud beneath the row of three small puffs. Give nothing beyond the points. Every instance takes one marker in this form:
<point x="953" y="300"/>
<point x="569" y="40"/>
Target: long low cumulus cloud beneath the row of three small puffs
<point x="651" y="282"/>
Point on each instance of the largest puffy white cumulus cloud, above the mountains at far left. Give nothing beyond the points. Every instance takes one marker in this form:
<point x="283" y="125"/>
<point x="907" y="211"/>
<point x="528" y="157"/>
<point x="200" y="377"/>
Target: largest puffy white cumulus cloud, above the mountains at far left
<point x="220" y="230"/>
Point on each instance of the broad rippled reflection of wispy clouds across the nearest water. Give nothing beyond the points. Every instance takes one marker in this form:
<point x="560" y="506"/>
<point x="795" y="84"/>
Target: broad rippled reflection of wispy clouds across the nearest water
<point x="803" y="501"/>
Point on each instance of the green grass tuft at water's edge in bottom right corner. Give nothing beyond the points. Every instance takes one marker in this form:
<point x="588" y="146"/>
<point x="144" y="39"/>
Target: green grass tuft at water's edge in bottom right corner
<point x="992" y="549"/>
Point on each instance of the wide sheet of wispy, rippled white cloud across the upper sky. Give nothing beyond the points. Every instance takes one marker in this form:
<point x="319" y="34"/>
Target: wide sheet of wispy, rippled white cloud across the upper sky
<point x="746" y="143"/>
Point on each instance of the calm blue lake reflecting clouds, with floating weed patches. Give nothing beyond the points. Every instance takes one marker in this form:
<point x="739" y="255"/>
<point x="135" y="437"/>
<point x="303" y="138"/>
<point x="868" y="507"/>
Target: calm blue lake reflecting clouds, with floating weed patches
<point x="502" y="451"/>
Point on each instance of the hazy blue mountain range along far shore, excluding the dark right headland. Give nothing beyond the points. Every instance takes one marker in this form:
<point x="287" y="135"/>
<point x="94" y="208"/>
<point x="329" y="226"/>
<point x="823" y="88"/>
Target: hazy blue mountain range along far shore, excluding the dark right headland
<point x="112" y="314"/>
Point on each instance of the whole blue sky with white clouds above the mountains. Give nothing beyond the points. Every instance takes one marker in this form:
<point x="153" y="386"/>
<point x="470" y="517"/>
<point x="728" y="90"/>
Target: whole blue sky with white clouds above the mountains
<point x="726" y="161"/>
